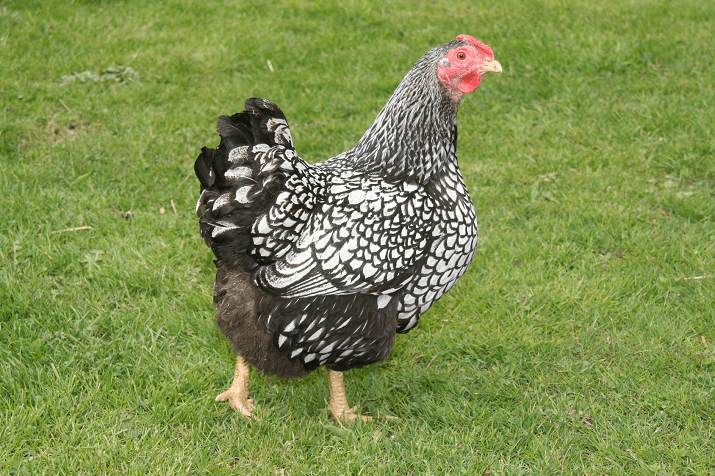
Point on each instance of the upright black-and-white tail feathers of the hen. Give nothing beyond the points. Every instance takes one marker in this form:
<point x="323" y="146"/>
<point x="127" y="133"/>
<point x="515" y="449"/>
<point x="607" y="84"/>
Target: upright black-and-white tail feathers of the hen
<point x="242" y="177"/>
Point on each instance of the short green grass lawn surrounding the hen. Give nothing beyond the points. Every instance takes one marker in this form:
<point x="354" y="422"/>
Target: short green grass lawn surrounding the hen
<point x="581" y="340"/>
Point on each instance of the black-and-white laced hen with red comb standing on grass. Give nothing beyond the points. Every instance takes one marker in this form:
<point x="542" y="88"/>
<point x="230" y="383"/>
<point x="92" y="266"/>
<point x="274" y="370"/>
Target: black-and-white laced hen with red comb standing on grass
<point x="322" y="264"/>
